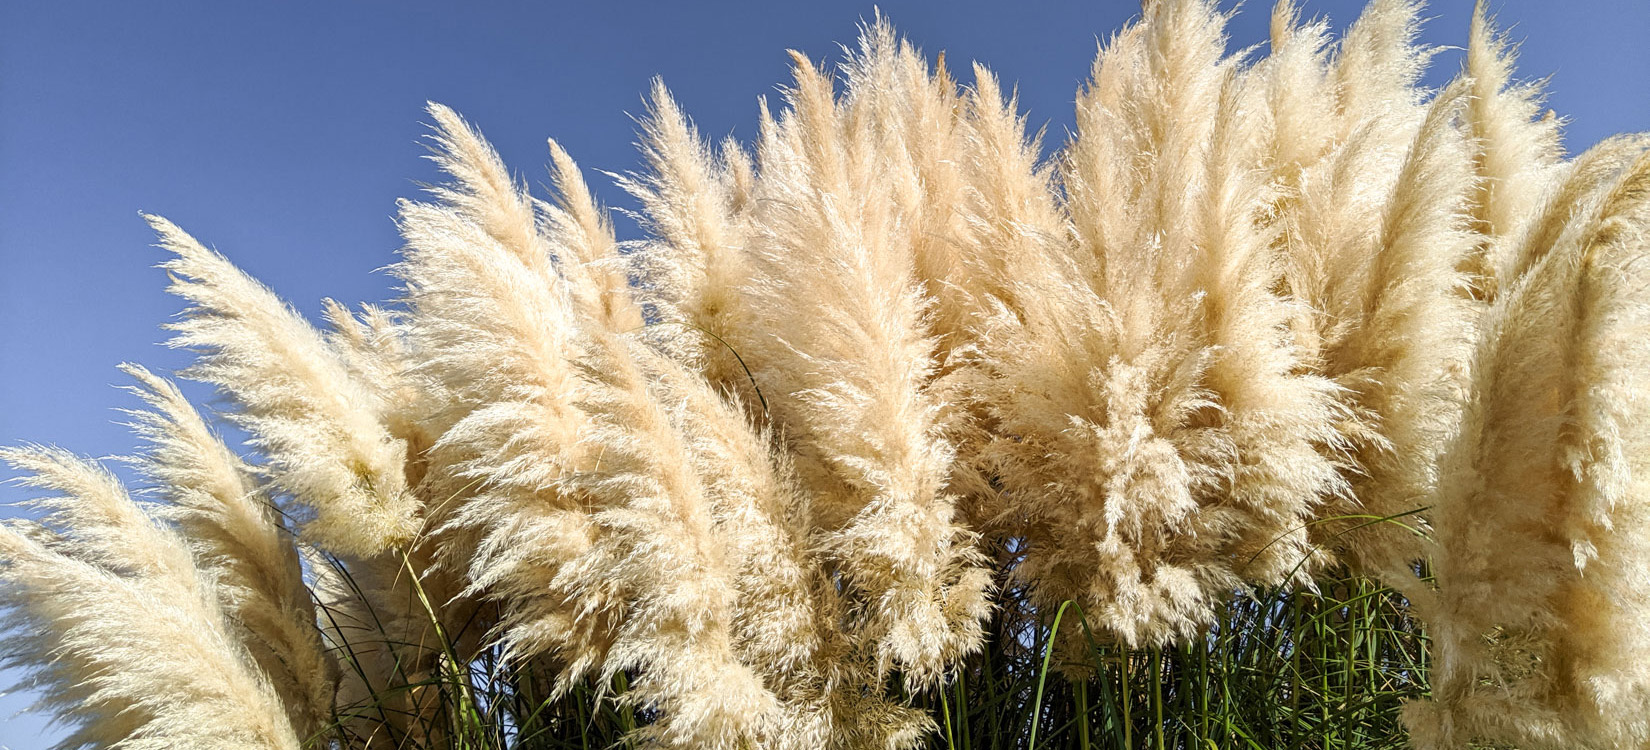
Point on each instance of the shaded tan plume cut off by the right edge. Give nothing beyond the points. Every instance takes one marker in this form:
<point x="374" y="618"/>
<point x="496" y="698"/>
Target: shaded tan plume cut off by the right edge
<point x="1540" y="525"/>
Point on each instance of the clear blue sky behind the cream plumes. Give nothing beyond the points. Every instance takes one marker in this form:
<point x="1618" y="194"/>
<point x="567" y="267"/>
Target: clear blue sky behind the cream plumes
<point x="285" y="133"/>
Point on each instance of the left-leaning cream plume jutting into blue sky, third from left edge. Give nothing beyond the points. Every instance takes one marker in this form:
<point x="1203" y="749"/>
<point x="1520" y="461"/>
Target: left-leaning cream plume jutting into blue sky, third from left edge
<point x="319" y="428"/>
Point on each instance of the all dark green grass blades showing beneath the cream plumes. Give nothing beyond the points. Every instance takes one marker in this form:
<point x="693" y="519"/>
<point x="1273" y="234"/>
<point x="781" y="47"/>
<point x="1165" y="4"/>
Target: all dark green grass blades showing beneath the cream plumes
<point x="1286" y="670"/>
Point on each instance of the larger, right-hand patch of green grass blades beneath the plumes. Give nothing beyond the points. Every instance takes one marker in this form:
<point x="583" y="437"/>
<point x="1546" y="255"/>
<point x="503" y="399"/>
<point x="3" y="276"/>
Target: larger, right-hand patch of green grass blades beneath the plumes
<point x="1288" y="670"/>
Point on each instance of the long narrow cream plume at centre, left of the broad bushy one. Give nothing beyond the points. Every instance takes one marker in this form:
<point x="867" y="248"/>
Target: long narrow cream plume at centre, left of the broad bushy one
<point x="847" y="377"/>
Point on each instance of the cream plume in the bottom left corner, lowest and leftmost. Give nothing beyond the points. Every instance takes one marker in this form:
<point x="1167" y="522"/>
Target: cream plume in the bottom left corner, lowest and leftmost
<point x="125" y="637"/>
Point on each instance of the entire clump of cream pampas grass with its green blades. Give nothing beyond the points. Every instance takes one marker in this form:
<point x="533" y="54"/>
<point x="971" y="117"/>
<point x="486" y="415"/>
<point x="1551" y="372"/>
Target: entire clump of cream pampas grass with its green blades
<point x="1286" y="405"/>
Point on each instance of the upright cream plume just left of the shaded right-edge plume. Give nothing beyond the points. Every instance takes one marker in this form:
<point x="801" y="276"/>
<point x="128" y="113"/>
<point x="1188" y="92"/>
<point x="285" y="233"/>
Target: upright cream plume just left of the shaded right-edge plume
<point x="1392" y="330"/>
